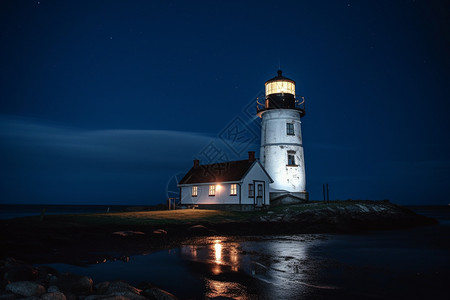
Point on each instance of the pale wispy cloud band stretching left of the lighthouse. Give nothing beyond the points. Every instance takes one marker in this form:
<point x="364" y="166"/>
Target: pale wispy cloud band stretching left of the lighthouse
<point x="134" y="148"/>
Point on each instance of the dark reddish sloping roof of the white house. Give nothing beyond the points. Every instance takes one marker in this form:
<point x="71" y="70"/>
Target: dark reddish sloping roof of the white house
<point x="218" y="172"/>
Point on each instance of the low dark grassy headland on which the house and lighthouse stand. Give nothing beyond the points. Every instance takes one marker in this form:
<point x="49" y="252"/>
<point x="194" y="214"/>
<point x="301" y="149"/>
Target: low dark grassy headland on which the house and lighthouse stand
<point x="86" y="239"/>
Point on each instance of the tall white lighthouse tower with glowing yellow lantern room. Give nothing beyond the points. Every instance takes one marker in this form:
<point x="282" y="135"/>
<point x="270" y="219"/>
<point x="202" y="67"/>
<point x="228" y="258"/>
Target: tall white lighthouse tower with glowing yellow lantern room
<point x="281" y="140"/>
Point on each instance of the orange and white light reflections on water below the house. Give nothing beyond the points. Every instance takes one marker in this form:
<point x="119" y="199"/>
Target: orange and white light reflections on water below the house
<point x="264" y="267"/>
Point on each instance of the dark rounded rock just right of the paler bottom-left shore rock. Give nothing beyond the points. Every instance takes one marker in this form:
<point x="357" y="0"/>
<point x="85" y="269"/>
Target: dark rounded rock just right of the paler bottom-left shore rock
<point x="72" y="283"/>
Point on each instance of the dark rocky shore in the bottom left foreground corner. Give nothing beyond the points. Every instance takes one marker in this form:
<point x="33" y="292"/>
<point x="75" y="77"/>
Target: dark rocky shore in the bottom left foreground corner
<point x="23" y="281"/>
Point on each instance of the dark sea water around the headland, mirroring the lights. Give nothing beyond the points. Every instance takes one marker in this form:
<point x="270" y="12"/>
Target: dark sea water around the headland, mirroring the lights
<point x="411" y="263"/>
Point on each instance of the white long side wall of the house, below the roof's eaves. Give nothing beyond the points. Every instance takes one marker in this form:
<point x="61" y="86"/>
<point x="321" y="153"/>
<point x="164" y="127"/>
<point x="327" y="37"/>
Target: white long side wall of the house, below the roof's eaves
<point x="222" y="195"/>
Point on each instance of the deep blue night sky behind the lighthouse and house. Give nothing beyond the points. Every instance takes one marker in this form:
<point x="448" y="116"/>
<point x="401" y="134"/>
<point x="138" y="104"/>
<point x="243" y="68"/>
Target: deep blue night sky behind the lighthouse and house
<point x="106" y="101"/>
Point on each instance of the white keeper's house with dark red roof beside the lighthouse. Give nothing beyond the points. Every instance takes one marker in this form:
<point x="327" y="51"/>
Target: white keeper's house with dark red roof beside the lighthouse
<point x="233" y="185"/>
